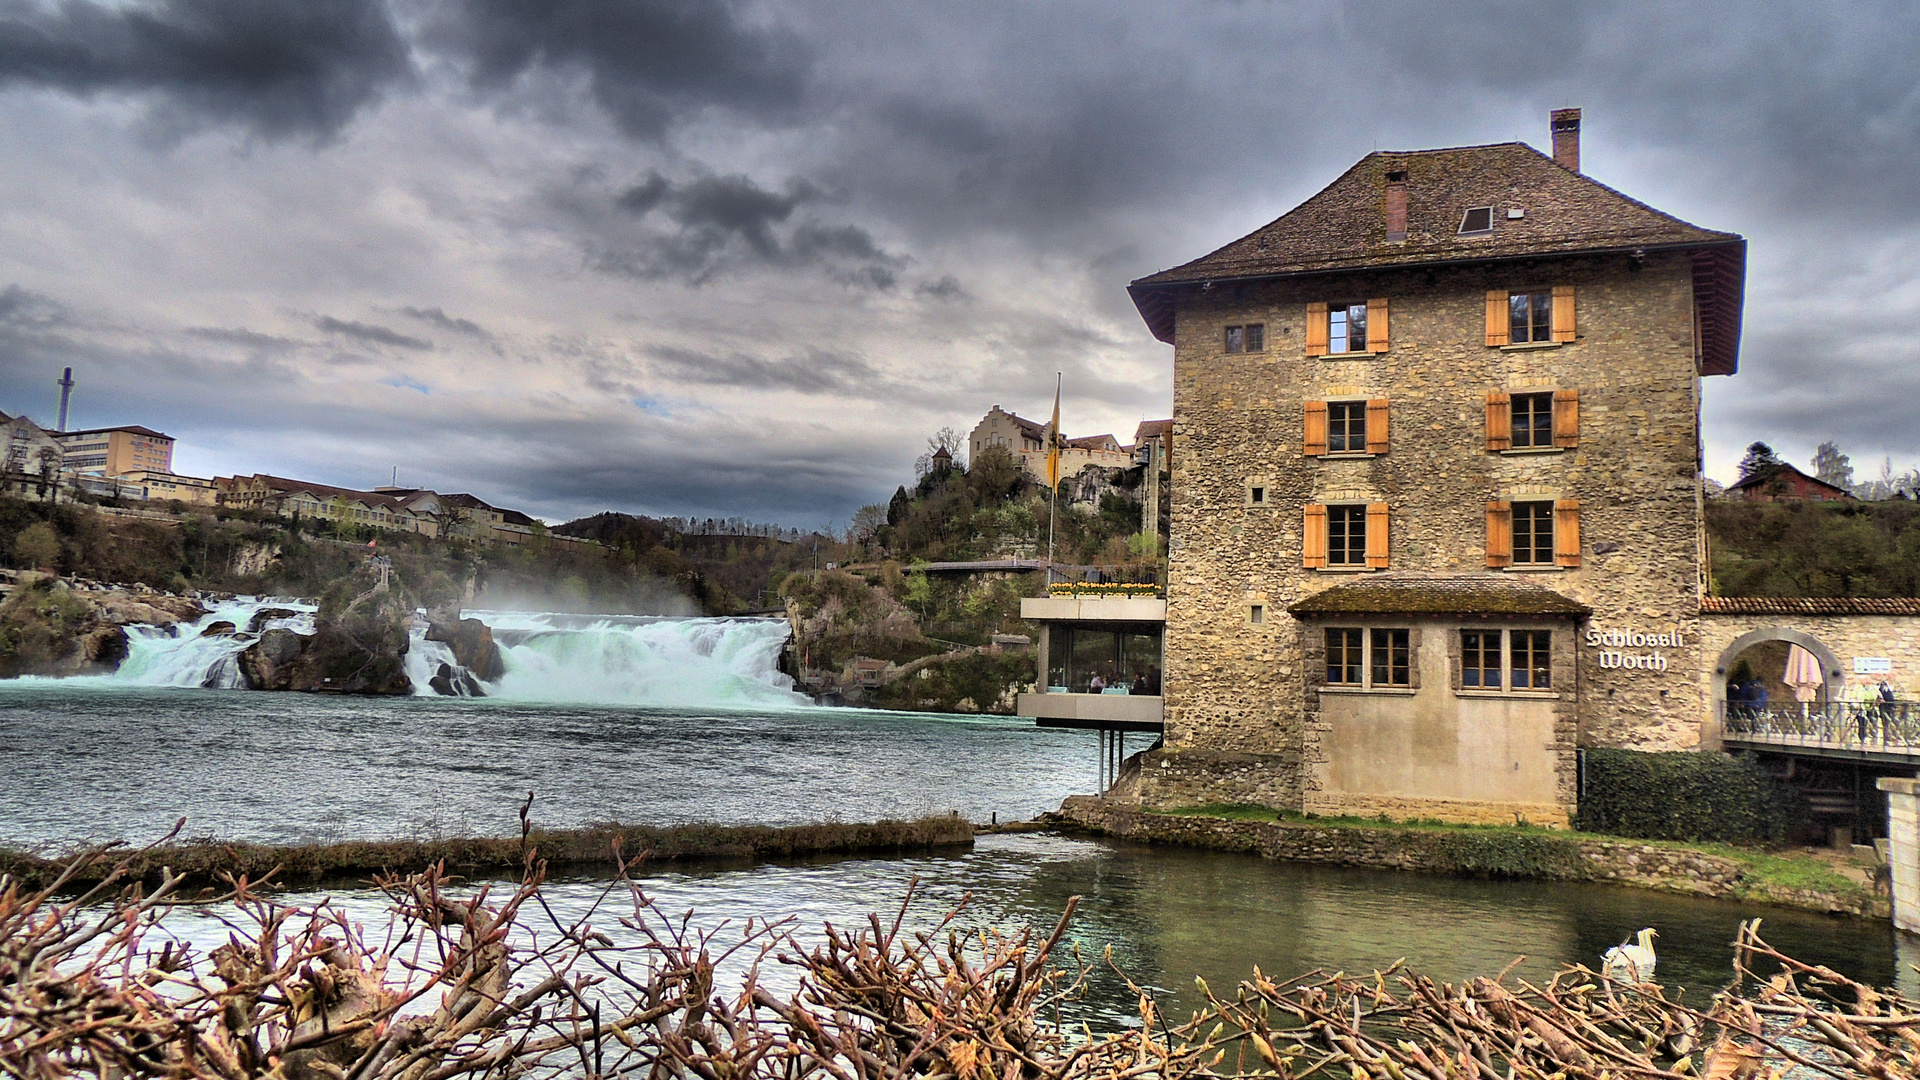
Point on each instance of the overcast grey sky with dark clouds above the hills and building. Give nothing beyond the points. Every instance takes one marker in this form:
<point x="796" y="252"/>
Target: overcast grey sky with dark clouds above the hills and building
<point x="692" y="257"/>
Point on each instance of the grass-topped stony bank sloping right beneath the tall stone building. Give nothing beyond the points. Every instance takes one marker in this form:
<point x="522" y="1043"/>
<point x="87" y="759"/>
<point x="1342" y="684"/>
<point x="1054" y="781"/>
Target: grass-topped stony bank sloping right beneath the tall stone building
<point x="1506" y="852"/>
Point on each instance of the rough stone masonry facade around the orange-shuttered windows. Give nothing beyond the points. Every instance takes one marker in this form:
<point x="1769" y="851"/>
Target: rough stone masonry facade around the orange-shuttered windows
<point x="1237" y="687"/>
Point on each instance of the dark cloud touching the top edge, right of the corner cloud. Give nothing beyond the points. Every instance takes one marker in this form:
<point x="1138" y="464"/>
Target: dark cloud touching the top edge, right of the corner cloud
<point x="648" y="62"/>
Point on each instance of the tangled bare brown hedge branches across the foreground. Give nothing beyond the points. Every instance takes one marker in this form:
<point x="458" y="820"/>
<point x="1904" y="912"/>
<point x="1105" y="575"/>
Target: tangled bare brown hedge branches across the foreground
<point x="466" y="985"/>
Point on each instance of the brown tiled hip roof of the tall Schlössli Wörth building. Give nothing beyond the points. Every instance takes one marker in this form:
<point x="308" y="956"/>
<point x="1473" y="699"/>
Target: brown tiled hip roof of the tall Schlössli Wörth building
<point x="1566" y="212"/>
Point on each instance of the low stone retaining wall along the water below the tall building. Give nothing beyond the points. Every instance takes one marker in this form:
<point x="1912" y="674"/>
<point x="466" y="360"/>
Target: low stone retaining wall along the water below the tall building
<point x="1460" y="852"/>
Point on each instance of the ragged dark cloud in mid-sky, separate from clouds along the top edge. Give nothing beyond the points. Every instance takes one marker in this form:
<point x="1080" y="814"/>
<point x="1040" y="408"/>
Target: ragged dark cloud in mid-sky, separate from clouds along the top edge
<point x="709" y="226"/>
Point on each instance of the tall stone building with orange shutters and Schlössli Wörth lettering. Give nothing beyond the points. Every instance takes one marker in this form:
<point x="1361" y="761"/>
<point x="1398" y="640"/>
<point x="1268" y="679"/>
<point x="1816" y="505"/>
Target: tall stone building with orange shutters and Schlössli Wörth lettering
<point x="1437" y="451"/>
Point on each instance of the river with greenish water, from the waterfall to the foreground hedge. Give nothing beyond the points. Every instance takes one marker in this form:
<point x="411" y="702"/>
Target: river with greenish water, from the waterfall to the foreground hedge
<point x="126" y="756"/>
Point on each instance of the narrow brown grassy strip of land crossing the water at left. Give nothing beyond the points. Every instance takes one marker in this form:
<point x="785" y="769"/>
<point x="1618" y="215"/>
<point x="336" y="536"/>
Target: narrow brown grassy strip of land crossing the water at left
<point x="571" y="848"/>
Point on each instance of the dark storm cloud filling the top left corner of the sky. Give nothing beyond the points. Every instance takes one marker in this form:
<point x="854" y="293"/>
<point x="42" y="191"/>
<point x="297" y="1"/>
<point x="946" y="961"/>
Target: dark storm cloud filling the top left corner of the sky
<point x="276" y="66"/>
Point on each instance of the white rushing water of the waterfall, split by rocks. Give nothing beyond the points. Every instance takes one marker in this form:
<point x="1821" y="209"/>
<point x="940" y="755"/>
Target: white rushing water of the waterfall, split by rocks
<point x="608" y="660"/>
